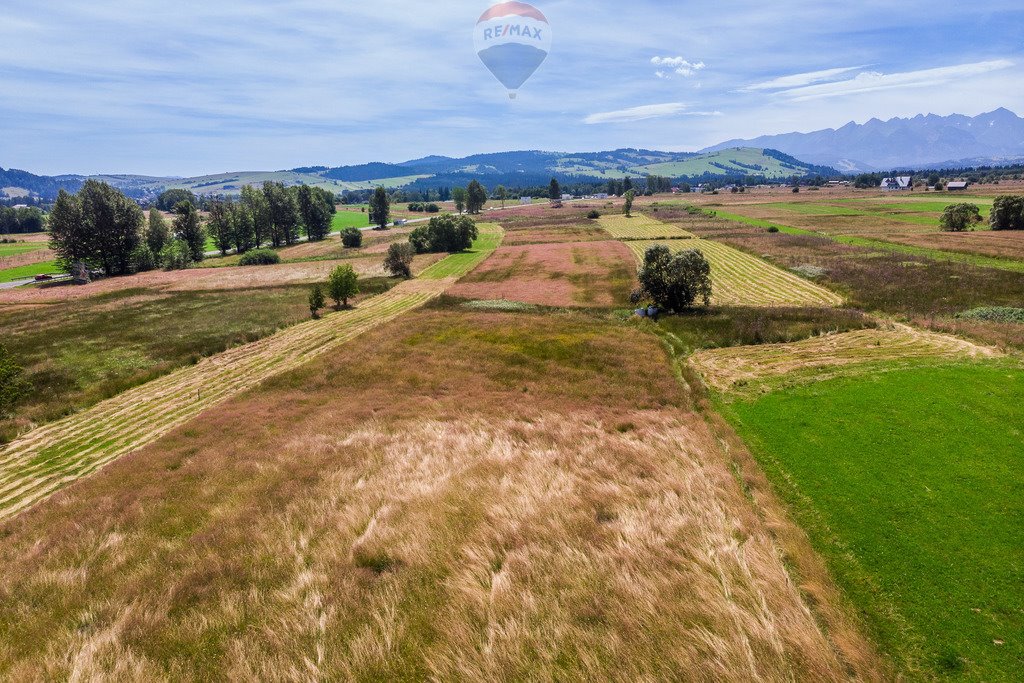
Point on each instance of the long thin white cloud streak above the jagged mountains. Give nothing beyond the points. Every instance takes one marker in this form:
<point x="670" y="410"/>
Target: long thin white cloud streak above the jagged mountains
<point x="875" y="81"/>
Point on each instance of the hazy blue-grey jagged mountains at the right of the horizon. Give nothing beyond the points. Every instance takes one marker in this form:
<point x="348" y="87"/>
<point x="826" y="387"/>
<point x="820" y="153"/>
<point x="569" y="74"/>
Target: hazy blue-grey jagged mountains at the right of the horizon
<point x="924" y="142"/>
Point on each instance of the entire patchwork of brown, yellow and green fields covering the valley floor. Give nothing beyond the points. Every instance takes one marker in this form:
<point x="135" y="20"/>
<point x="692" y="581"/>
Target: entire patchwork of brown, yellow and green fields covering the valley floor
<point x="495" y="472"/>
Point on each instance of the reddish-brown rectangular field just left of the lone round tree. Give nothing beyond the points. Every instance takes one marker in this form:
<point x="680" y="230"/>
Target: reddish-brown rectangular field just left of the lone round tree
<point x="589" y="274"/>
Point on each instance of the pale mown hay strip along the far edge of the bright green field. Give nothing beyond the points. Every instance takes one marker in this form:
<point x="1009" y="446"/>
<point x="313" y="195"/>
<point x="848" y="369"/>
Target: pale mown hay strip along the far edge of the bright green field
<point x="726" y="369"/>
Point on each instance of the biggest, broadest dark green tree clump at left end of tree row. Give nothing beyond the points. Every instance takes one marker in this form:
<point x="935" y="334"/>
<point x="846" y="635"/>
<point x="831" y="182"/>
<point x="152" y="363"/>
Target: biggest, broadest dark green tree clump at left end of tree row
<point x="99" y="227"/>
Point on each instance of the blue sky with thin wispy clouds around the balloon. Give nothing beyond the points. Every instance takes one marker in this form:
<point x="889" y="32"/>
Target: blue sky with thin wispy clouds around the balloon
<point x="188" y="88"/>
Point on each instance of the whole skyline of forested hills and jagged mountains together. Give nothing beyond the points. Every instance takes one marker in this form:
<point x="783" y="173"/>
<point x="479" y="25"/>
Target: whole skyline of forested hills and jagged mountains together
<point x="920" y="143"/>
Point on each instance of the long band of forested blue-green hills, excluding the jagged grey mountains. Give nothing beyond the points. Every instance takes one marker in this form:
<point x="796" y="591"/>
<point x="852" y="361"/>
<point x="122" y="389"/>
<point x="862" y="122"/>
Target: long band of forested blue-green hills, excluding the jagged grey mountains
<point x="514" y="169"/>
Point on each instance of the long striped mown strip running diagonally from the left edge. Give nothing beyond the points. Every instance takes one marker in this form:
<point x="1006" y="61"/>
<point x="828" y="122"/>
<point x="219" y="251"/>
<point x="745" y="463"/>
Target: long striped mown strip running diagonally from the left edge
<point x="52" y="457"/>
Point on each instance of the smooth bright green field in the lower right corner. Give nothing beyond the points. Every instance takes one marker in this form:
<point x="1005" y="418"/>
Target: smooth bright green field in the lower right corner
<point x="911" y="485"/>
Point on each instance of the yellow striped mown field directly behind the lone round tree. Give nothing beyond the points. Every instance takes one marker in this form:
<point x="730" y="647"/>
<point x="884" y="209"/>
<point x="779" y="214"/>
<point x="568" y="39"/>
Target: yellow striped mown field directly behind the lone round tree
<point x="742" y="280"/>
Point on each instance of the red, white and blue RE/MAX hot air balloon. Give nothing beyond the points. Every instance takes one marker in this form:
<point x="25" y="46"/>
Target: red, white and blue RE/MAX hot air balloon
<point x="514" y="40"/>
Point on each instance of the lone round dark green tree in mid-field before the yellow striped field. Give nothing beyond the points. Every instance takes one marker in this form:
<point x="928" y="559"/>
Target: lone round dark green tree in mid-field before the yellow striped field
<point x="674" y="282"/>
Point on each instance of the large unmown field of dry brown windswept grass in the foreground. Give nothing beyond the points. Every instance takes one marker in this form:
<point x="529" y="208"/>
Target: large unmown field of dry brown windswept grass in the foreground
<point x="435" y="507"/>
